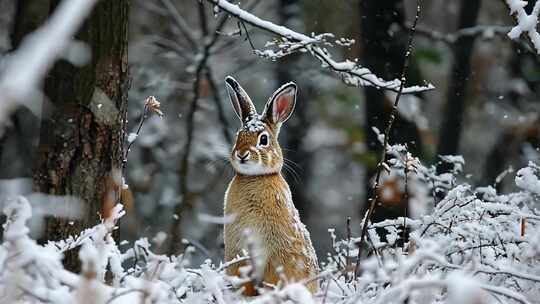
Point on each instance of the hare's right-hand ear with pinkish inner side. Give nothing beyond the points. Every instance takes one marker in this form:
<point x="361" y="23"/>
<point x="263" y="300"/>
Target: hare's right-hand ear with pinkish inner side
<point x="281" y="105"/>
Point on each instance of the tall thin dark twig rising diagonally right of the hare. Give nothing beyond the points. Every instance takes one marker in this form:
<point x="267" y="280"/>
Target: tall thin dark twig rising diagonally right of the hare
<point x="386" y="136"/>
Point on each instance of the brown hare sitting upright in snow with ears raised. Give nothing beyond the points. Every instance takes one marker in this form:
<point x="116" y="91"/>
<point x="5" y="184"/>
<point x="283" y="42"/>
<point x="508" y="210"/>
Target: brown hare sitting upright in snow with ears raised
<point x="258" y="199"/>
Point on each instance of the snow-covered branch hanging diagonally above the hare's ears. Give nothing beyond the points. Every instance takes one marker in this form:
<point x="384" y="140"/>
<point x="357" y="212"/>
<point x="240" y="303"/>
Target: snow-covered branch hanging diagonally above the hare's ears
<point x="290" y="41"/>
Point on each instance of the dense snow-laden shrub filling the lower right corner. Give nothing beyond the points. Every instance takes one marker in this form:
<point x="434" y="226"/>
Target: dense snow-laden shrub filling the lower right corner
<point x="472" y="246"/>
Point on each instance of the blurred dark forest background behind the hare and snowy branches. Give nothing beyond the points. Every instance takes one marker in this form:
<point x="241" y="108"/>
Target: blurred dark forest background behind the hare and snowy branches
<point x="485" y="106"/>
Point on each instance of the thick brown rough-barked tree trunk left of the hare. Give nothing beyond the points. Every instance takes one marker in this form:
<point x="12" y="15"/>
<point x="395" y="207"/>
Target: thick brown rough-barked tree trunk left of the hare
<point x="81" y="141"/>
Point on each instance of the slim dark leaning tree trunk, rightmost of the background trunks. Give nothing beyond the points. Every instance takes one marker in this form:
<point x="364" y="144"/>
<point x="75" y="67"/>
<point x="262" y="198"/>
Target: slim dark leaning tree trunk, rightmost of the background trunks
<point x="451" y="126"/>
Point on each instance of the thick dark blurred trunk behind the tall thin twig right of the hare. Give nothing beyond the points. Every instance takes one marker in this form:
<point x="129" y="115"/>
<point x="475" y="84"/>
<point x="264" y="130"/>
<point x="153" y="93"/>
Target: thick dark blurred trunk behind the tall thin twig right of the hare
<point x="383" y="51"/>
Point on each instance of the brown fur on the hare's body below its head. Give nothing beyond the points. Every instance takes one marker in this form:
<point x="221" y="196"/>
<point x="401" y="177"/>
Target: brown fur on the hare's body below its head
<point x="253" y="202"/>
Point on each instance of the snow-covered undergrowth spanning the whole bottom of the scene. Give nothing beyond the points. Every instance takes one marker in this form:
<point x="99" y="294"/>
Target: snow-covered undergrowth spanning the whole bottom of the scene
<point x="464" y="244"/>
